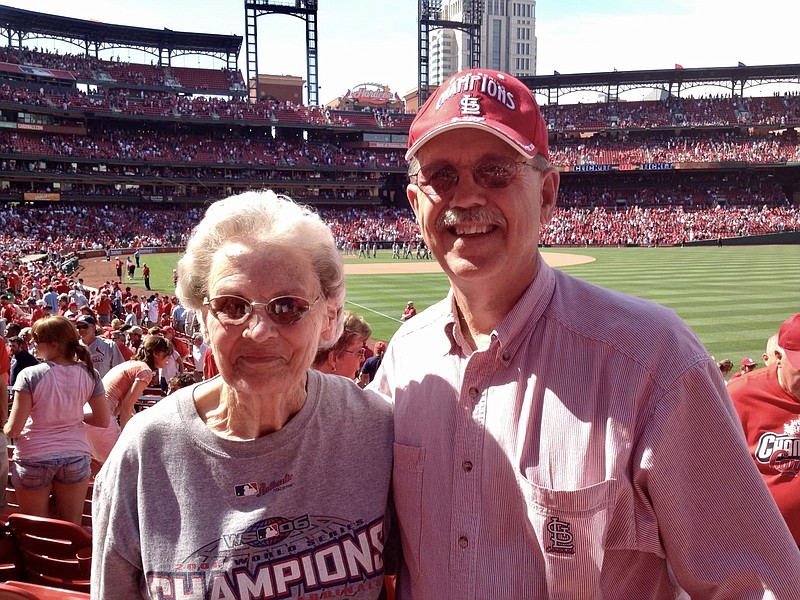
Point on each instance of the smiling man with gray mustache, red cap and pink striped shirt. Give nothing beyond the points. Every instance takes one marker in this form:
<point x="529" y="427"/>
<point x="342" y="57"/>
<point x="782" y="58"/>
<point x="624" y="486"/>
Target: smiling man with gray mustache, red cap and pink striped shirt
<point x="554" y="439"/>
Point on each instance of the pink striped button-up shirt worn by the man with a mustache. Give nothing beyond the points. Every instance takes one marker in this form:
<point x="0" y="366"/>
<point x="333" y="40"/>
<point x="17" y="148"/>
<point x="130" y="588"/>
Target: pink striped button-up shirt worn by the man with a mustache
<point x="591" y="451"/>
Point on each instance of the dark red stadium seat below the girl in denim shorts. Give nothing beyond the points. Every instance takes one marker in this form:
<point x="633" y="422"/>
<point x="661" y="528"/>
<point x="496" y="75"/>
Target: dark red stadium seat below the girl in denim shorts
<point x="52" y="552"/>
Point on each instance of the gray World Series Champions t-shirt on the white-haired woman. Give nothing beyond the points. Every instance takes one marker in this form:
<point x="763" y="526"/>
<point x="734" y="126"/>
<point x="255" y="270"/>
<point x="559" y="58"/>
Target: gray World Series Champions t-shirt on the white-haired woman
<point x="302" y="510"/>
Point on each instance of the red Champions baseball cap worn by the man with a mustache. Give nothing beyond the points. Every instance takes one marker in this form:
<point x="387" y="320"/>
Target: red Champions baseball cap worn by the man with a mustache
<point x="482" y="99"/>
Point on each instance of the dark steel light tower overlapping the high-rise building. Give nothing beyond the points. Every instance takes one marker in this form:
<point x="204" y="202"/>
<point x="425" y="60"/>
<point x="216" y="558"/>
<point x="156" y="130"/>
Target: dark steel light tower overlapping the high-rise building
<point x="430" y="18"/>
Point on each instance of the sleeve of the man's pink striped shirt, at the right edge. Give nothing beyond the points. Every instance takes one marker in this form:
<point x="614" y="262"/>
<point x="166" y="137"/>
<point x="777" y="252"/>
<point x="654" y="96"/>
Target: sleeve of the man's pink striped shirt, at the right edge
<point x="691" y="455"/>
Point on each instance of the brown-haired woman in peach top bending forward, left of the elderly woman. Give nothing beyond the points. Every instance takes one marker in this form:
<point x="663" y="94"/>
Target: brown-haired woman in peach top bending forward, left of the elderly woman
<point x="124" y="384"/>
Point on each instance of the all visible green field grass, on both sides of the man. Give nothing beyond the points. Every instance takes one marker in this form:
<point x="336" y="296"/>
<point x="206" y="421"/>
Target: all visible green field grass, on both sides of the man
<point x="734" y="298"/>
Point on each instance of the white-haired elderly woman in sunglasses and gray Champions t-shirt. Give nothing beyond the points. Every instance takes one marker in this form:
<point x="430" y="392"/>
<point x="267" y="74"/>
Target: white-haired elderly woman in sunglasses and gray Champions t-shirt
<point x="271" y="479"/>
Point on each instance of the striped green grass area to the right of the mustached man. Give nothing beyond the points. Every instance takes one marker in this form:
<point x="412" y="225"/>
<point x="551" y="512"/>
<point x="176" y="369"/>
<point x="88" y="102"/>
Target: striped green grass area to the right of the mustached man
<point x="733" y="298"/>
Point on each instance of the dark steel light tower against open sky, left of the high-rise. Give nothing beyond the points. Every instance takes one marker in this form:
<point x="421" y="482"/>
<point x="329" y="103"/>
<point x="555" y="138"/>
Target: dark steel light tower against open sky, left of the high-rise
<point x="302" y="9"/>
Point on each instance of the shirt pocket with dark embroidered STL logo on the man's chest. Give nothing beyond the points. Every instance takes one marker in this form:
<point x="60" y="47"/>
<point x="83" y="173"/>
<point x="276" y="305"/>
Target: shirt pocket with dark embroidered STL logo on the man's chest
<point x="571" y="527"/>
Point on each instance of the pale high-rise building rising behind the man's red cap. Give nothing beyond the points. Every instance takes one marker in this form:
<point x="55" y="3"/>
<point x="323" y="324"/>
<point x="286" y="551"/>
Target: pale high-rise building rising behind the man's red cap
<point x="508" y="39"/>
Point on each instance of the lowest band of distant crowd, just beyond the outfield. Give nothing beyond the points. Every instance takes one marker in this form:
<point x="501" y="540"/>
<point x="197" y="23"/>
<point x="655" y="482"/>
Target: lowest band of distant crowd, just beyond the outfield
<point x="67" y="229"/>
